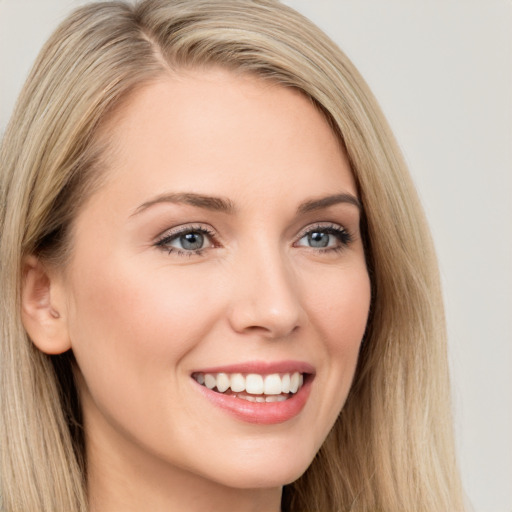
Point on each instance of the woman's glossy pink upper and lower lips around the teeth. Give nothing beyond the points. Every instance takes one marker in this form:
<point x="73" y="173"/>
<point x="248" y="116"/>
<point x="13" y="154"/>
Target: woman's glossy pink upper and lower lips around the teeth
<point x="267" y="413"/>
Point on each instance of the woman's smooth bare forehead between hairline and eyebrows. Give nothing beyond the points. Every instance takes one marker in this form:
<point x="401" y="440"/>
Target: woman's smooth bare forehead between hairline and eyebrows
<point x="203" y="129"/>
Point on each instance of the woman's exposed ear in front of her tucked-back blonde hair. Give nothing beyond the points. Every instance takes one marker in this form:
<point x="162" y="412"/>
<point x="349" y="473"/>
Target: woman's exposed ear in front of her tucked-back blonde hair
<point x="43" y="311"/>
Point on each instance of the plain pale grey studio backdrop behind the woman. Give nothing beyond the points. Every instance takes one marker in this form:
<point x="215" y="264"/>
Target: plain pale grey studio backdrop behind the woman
<point x="442" y="72"/>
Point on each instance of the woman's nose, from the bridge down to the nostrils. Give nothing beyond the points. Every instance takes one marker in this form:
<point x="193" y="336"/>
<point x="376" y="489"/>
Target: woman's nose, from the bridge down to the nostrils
<point x="266" y="300"/>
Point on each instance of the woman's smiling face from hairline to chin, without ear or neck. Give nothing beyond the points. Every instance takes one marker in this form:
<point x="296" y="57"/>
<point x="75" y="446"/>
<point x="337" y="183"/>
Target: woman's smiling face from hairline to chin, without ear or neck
<point x="223" y="250"/>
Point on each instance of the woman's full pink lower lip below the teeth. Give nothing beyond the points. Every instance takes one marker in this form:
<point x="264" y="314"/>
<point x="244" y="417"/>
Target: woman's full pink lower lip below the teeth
<point x="267" y="413"/>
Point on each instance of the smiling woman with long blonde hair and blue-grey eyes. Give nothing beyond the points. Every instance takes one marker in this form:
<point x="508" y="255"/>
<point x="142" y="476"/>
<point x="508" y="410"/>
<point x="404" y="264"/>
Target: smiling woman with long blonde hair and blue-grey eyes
<point x="162" y="278"/>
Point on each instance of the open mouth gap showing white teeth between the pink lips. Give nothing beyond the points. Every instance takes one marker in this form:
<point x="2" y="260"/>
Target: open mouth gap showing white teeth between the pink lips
<point x="253" y="387"/>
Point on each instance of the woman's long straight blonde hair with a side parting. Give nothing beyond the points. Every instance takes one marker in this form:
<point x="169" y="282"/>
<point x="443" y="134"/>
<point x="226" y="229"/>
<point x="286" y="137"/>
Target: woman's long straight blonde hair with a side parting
<point x="391" y="448"/>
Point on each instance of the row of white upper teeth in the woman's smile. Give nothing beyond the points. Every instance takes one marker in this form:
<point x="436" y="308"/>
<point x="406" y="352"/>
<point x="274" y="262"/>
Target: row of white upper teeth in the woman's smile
<point x="253" y="383"/>
